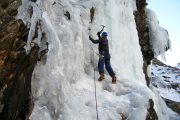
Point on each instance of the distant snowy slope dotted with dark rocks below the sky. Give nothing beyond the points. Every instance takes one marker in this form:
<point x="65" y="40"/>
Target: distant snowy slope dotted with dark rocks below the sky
<point x="167" y="80"/>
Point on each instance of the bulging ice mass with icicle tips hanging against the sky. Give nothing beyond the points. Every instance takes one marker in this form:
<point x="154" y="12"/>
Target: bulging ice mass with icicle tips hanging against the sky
<point x="159" y="37"/>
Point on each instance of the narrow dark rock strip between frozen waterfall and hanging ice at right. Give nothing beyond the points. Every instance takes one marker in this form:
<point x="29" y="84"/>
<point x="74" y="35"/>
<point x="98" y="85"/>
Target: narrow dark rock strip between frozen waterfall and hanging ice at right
<point x="143" y="33"/>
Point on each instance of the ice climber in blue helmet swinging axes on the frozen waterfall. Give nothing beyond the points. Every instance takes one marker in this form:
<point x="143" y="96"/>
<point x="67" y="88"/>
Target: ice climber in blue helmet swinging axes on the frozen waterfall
<point x="104" y="56"/>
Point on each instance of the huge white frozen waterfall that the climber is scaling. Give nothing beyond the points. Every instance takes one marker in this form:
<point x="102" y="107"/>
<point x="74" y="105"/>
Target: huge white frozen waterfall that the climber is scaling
<point x="63" y="88"/>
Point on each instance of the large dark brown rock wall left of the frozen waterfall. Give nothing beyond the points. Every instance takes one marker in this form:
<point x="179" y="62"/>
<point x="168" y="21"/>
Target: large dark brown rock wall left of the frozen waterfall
<point x="16" y="66"/>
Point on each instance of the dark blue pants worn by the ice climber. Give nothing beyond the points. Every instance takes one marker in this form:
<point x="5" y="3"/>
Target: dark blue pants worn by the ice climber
<point x="105" y="59"/>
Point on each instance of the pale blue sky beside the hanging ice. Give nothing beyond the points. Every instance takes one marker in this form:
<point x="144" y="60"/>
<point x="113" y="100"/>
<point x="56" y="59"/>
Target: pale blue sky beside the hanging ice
<point x="167" y="12"/>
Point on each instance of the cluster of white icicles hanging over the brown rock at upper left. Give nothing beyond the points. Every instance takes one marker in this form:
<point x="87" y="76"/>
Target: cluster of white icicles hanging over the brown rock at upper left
<point x="31" y="14"/>
